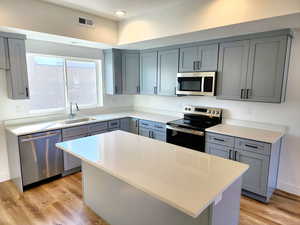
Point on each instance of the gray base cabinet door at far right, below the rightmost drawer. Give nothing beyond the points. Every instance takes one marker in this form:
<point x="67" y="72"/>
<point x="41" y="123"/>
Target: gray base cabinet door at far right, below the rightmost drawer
<point x="256" y="177"/>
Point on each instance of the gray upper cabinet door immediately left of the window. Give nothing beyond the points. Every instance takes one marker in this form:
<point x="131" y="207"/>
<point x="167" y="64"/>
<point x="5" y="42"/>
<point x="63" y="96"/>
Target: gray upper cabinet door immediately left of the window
<point x="17" y="77"/>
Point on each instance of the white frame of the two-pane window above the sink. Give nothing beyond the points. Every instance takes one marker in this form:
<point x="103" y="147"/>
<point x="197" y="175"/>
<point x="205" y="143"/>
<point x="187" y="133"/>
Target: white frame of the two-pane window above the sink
<point x="99" y="84"/>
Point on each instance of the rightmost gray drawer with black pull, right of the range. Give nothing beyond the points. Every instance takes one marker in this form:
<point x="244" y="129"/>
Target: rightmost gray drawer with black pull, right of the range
<point x="253" y="146"/>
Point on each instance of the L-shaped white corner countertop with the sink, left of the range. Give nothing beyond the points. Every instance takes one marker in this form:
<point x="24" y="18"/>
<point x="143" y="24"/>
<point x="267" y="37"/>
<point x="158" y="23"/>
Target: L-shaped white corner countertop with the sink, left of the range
<point x="34" y="127"/>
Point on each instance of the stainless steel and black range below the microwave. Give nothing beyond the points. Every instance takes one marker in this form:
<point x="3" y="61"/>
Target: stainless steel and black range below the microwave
<point x="190" y="131"/>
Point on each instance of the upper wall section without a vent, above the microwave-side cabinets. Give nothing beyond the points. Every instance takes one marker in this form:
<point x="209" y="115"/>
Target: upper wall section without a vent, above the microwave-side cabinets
<point x="196" y="15"/>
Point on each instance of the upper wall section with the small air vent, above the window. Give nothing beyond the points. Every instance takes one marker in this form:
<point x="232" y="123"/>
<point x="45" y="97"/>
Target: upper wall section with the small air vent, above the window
<point x="48" y="18"/>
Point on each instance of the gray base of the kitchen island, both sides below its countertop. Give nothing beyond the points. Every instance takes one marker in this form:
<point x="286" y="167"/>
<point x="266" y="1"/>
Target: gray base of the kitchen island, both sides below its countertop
<point x="119" y="203"/>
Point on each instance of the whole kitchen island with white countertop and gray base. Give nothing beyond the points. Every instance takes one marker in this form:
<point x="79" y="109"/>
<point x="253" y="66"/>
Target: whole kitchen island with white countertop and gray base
<point x="134" y="180"/>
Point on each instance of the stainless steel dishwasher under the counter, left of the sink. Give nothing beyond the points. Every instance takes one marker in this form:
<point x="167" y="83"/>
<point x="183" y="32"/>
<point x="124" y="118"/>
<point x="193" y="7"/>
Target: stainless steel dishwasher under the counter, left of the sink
<point x="40" y="159"/>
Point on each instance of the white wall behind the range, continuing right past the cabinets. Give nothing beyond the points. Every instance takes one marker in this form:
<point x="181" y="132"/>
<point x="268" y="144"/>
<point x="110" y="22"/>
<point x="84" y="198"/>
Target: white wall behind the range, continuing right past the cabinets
<point x="286" y="114"/>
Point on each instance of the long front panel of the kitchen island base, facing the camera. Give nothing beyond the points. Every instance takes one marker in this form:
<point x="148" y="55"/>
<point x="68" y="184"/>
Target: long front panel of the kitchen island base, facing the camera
<point x="119" y="203"/>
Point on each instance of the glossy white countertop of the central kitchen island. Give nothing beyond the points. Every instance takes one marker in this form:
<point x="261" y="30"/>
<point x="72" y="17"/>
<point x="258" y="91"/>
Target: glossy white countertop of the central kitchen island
<point x="185" y="179"/>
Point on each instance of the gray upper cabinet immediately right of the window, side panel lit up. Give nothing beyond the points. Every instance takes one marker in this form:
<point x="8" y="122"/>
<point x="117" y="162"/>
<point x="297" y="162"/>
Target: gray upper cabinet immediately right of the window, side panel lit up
<point x="113" y="71"/>
